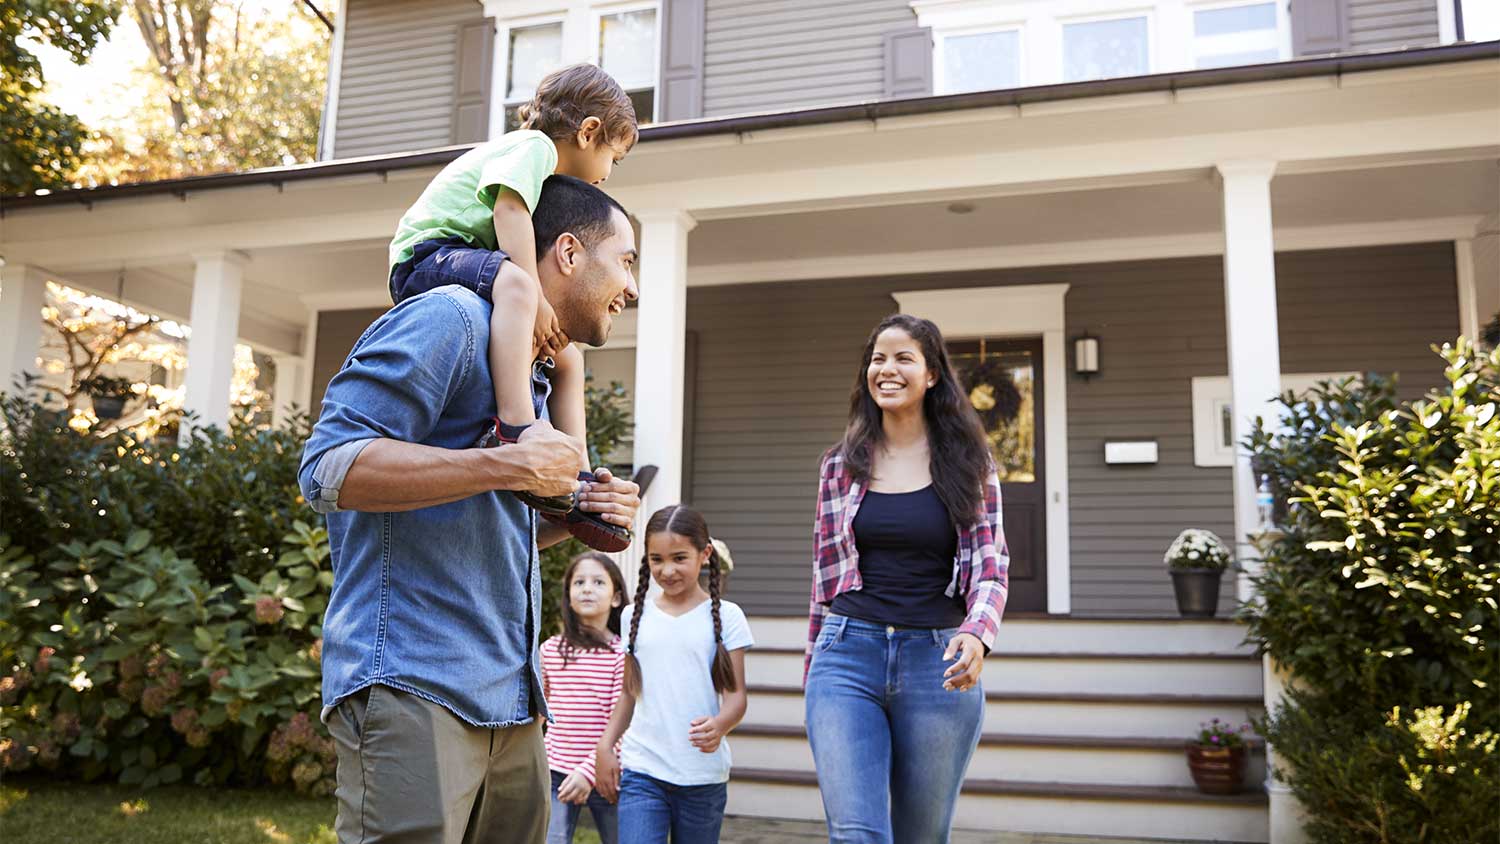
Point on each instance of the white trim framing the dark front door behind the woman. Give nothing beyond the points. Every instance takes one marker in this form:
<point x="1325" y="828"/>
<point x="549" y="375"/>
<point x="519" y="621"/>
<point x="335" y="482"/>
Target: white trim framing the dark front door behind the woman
<point x="1024" y="311"/>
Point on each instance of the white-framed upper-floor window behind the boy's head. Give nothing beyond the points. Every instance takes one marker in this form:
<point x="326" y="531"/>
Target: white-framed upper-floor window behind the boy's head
<point x="539" y="37"/>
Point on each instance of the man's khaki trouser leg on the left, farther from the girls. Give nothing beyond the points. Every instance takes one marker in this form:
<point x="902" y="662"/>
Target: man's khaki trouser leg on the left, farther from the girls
<point x="409" y="770"/>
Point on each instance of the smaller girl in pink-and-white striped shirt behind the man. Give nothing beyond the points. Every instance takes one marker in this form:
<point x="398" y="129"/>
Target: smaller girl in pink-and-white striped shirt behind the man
<point x="583" y="672"/>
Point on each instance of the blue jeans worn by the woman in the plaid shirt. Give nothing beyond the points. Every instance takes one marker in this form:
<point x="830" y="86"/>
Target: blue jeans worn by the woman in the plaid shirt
<point x="890" y="743"/>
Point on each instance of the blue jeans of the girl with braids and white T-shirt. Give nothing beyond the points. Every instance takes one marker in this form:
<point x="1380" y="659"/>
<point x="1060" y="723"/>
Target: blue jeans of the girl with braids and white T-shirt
<point x="650" y="810"/>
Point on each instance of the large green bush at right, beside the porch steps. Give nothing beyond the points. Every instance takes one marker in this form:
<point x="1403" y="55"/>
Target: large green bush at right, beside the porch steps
<point x="1382" y="596"/>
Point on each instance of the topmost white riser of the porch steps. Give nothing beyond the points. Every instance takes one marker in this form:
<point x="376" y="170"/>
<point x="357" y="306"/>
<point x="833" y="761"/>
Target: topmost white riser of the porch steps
<point x="1066" y="635"/>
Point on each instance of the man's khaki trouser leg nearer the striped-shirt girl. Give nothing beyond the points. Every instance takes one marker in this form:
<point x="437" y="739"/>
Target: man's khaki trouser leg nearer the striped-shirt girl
<point x="514" y="804"/>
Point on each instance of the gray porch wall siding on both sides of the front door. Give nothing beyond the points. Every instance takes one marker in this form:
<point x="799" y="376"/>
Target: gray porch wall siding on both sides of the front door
<point x="775" y="373"/>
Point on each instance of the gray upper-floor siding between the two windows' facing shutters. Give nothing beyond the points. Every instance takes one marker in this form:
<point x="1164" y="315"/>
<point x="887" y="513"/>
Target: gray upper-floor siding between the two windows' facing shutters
<point x="781" y="55"/>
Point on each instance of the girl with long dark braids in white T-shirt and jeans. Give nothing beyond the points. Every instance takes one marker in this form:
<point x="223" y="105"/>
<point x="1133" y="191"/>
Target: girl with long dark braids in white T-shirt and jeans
<point x="685" y="692"/>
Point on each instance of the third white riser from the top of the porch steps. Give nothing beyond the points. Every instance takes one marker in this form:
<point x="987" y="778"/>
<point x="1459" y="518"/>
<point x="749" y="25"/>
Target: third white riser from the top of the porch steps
<point x="1081" y="714"/>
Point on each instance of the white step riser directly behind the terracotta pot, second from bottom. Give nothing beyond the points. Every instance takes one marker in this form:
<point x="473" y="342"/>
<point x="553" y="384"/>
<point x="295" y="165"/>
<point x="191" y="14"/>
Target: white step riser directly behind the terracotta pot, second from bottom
<point x="1084" y="761"/>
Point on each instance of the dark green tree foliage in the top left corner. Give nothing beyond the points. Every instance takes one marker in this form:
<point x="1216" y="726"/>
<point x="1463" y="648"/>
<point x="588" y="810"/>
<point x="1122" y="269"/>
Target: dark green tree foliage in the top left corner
<point x="41" y="146"/>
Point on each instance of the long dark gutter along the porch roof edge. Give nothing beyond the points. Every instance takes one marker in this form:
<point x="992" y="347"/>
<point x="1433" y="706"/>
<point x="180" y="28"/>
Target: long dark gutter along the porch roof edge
<point x="1297" y="70"/>
